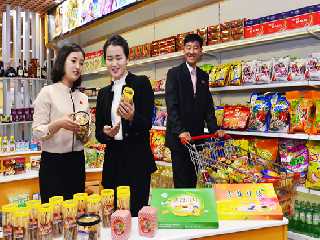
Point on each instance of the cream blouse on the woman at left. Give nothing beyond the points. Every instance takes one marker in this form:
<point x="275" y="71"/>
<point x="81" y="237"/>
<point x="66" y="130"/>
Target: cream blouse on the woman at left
<point x="52" y="103"/>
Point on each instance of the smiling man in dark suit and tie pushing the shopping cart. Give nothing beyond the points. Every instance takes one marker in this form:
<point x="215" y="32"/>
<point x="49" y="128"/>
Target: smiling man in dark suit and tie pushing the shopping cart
<point x="190" y="106"/>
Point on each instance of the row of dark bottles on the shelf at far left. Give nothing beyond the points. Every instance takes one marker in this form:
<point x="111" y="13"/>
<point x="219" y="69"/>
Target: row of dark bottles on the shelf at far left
<point x="31" y="70"/>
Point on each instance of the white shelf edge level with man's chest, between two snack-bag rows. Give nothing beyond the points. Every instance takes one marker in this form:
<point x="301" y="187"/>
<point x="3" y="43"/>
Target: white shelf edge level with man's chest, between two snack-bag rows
<point x="264" y="86"/>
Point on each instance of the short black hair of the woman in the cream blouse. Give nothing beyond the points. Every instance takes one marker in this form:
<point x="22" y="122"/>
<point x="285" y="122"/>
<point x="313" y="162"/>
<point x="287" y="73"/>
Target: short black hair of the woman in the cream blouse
<point x="58" y="66"/>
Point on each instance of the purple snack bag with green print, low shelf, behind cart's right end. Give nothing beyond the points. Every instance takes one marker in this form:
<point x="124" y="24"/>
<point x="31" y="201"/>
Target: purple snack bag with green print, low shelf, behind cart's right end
<point x="294" y="156"/>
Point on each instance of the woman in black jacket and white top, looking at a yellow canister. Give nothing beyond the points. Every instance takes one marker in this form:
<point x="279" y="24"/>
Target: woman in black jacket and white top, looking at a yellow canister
<point x="124" y="127"/>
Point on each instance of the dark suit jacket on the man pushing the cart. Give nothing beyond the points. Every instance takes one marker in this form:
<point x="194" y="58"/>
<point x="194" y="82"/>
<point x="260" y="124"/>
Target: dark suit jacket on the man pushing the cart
<point x="187" y="112"/>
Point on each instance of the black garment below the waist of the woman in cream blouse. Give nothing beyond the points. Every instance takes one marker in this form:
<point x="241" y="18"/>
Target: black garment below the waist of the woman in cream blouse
<point x="61" y="174"/>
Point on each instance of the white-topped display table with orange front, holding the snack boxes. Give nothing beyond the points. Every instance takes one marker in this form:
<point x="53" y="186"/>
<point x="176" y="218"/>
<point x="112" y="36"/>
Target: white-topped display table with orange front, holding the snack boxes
<point x="235" y="230"/>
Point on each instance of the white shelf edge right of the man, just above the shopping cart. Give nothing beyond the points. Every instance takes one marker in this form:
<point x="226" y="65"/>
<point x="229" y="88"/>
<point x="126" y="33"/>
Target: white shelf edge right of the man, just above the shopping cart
<point x="267" y="134"/>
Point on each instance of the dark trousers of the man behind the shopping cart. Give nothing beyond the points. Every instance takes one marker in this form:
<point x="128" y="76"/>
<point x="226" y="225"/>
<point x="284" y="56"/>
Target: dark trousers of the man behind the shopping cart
<point x="184" y="173"/>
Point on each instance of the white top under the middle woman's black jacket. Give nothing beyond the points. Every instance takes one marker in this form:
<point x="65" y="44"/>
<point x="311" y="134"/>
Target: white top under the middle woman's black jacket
<point x="117" y="92"/>
